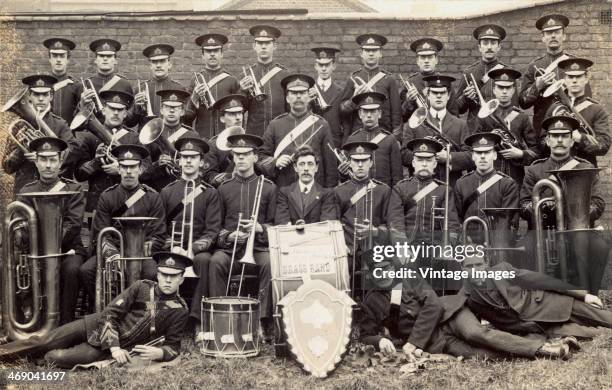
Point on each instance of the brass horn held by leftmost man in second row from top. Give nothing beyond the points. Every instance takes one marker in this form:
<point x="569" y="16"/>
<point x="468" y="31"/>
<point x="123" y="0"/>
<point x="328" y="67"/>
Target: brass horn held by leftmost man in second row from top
<point x="30" y="126"/>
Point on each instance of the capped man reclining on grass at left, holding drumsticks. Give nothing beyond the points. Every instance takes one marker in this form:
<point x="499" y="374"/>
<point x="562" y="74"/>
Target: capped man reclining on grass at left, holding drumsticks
<point x="143" y="312"/>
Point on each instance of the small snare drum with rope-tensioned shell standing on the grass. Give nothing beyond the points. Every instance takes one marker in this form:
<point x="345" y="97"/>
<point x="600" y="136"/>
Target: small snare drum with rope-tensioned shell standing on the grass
<point x="230" y="327"/>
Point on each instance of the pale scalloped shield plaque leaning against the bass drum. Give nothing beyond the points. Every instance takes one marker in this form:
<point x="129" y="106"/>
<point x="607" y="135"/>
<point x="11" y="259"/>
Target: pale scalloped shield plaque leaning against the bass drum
<point x="317" y="320"/>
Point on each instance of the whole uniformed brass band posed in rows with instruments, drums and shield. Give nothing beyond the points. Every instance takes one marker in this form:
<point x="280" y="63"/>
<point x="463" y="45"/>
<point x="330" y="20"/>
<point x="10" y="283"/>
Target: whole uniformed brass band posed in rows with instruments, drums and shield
<point x="243" y="209"/>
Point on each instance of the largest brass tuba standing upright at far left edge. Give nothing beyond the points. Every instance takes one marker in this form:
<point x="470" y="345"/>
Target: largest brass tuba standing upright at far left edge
<point x="37" y="272"/>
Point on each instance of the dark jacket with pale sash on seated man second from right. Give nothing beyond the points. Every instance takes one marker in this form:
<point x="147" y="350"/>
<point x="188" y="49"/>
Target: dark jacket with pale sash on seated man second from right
<point x="469" y="202"/>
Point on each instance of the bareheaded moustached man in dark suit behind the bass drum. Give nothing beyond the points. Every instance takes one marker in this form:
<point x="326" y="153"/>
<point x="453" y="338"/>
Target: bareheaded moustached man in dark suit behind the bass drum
<point x="304" y="201"/>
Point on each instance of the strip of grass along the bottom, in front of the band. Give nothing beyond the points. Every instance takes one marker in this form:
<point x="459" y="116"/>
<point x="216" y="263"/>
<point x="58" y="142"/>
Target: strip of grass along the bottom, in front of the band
<point x="590" y="368"/>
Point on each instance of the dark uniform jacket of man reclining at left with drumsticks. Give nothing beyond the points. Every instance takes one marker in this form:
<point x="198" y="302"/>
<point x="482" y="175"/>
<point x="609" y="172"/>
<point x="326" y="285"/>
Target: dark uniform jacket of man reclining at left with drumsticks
<point x="134" y="318"/>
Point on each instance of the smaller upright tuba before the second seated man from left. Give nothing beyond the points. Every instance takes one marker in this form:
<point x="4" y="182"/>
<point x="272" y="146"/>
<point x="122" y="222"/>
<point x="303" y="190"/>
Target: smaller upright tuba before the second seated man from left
<point x="113" y="275"/>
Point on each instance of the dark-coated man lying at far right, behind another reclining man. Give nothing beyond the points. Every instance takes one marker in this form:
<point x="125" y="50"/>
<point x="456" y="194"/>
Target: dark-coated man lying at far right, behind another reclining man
<point x="522" y="301"/>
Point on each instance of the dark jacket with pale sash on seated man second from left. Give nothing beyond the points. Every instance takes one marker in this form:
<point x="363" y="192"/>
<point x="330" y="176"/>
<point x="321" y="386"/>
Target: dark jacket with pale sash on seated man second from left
<point x="112" y="204"/>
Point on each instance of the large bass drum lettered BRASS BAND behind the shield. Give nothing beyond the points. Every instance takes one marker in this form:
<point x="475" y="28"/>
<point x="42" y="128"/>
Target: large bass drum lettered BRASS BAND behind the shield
<point x="316" y="252"/>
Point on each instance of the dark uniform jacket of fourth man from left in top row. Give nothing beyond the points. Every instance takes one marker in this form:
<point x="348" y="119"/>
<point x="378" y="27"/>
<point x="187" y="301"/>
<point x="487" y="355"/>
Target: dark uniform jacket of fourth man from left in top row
<point x="203" y="120"/>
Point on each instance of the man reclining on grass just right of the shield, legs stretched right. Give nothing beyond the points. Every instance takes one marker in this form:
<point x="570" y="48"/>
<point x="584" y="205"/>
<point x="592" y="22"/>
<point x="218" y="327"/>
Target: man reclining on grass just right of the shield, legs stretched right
<point x="413" y="317"/>
